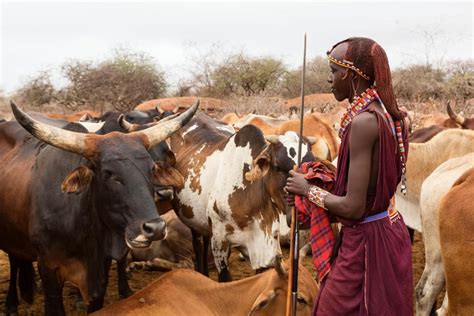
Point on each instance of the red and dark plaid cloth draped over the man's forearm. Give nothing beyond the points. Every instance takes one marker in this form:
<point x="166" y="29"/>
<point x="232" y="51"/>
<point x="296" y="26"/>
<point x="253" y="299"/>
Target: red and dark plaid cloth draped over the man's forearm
<point x="309" y="214"/>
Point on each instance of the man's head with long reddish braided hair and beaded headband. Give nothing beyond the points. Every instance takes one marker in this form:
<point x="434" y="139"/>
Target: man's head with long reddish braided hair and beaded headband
<point x="359" y="61"/>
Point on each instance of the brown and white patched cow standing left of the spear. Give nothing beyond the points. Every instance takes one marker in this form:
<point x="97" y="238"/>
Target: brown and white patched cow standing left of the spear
<point x="233" y="190"/>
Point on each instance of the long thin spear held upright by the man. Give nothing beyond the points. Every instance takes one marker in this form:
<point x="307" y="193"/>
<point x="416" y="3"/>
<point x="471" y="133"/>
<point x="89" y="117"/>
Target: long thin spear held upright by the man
<point x="294" y="244"/>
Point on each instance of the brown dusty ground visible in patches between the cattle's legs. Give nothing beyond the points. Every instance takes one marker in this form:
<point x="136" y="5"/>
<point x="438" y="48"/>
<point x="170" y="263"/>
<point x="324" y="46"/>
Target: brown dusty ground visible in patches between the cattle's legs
<point x="141" y="278"/>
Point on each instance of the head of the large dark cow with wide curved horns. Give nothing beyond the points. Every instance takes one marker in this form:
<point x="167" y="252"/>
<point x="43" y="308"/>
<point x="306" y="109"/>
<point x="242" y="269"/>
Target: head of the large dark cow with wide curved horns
<point x="119" y="174"/>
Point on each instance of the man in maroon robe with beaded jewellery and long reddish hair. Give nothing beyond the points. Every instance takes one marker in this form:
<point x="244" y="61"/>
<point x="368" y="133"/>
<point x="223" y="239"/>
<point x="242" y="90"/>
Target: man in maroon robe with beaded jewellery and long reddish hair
<point x="372" y="272"/>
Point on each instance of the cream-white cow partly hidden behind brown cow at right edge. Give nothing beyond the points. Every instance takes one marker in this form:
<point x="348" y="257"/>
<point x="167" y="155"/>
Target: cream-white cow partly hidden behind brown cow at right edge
<point x="433" y="189"/>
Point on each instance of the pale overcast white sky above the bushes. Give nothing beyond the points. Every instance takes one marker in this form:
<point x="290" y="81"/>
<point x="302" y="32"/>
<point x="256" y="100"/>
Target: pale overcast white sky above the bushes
<point x="39" y="35"/>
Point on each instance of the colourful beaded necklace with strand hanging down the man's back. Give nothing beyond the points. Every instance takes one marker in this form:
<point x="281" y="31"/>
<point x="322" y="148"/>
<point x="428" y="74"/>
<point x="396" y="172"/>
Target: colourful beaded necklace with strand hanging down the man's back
<point x="359" y="104"/>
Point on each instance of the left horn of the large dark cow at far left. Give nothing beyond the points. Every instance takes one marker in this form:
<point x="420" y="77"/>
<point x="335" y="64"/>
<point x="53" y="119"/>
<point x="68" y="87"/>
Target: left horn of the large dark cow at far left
<point x="55" y="136"/>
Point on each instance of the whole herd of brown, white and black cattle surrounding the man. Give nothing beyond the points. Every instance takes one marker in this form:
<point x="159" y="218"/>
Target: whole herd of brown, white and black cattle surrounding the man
<point x="160" y="186"/>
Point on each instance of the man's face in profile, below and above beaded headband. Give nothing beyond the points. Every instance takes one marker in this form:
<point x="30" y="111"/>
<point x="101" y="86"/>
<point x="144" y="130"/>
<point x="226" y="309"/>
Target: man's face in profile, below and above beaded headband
<point x="340" y="77"/>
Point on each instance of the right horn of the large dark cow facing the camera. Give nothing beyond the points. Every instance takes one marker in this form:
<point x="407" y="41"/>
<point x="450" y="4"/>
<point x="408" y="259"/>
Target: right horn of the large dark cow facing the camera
<point x="163" y="130"/>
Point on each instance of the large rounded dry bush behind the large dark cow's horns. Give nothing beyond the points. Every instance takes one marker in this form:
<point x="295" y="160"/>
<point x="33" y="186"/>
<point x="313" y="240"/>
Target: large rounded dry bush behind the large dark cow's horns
<point x="123" y="82"/>
